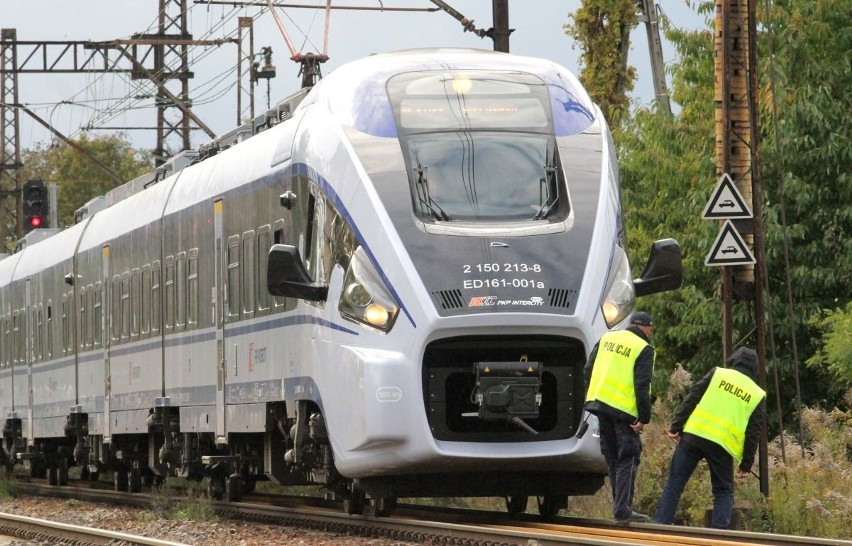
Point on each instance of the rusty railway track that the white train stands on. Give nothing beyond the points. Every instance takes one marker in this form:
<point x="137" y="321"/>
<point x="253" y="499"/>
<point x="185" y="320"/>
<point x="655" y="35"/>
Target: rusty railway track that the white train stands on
<point x="414" y="523"/>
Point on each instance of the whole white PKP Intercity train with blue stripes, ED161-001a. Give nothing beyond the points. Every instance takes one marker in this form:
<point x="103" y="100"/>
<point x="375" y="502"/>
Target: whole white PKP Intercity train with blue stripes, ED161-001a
<point x="387" y="285"/>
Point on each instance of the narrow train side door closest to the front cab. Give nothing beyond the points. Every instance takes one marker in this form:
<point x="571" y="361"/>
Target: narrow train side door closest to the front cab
<point x="219" y="319"/>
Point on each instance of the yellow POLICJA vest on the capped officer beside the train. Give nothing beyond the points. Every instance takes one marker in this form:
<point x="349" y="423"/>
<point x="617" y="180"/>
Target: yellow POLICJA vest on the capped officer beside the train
<point x="612" y="375"/>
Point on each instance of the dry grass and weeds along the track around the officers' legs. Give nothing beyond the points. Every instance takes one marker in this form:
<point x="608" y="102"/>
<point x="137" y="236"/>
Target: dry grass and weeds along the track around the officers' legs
<point x="810" y="486"/>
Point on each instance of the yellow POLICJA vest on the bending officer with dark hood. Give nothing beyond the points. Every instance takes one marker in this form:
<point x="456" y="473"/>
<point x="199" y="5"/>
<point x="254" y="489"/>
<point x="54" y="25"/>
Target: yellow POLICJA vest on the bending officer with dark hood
<point x="722" y="414"/>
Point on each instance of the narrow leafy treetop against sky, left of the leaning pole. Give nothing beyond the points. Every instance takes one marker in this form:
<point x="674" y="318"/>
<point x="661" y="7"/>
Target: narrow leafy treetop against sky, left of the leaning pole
<point x="602" y="28"/>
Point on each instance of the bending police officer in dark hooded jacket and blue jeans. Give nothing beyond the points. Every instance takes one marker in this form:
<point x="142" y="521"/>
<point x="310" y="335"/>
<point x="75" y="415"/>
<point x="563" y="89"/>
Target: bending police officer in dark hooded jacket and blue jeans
<point x="719" y="421"/>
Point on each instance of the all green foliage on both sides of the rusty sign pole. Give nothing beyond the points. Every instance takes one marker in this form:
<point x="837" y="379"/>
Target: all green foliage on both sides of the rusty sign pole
<point x="668" y="171"/>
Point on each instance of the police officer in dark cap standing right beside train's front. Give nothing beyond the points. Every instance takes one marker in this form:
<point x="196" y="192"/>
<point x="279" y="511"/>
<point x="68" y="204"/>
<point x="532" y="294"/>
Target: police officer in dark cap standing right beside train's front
<point x="618" y="379"/>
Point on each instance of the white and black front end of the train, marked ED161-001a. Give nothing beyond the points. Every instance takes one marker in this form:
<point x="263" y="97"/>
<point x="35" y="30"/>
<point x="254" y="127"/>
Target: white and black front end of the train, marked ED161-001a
<point x="486" y="209"/>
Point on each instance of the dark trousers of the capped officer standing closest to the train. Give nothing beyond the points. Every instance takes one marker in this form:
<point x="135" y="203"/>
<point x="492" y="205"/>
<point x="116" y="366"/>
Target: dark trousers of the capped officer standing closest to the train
<point x="621" y="447"/>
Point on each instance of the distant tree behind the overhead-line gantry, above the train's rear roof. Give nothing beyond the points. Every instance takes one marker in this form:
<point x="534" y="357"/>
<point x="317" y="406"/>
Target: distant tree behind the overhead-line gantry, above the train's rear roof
<point x="78" y="178"/>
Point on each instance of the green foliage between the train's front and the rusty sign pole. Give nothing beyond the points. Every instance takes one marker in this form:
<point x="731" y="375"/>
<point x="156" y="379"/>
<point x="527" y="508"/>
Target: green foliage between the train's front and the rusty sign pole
<point x="667" y="174"/>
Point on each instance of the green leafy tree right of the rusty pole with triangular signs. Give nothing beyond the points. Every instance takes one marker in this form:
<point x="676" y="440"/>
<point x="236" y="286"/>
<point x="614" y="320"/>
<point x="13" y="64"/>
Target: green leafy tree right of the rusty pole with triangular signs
<point x="808" y="153"/>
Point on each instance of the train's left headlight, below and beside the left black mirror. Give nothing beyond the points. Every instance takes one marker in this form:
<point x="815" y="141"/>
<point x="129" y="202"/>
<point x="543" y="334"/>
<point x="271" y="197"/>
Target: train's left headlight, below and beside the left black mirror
<point x="365" y="297"/>
